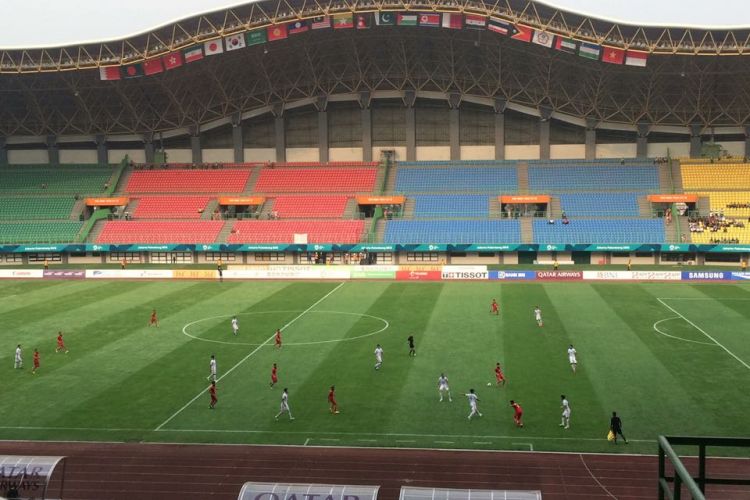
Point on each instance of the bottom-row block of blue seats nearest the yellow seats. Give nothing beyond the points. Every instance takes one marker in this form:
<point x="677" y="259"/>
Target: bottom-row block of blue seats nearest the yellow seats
<point x="600" y="231"/>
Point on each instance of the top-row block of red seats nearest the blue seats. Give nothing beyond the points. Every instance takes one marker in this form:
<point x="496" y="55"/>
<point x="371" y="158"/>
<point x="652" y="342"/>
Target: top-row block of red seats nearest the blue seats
<point x="316" y="180"/>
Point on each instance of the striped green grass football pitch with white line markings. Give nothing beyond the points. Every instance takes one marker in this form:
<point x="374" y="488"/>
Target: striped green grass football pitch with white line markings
<point x="669" y="358"/>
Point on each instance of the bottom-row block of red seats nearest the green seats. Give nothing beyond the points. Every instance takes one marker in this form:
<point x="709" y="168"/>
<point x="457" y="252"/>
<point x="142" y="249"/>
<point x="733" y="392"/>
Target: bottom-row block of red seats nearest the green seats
<point x="115" y="232"/>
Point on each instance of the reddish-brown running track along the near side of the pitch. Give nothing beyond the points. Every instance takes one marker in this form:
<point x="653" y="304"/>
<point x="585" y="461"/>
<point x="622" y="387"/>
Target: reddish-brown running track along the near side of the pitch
<point x="119" y="471"/>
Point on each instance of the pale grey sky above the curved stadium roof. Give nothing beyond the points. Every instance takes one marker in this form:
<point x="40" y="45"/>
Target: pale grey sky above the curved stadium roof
<point x="46" y="23"/>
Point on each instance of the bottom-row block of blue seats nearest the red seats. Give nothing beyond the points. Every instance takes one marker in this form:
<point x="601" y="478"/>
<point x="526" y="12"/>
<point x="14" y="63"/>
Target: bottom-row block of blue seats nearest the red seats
<point x="452" y="231"/>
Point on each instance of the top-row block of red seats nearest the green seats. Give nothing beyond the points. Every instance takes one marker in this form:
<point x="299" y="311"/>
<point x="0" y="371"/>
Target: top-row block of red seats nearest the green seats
<point x="188" y="181"/>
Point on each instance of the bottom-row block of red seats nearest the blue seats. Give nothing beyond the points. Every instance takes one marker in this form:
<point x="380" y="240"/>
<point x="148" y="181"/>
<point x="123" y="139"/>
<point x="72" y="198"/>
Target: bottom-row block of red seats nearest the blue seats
<point x="274" y="231"/>
